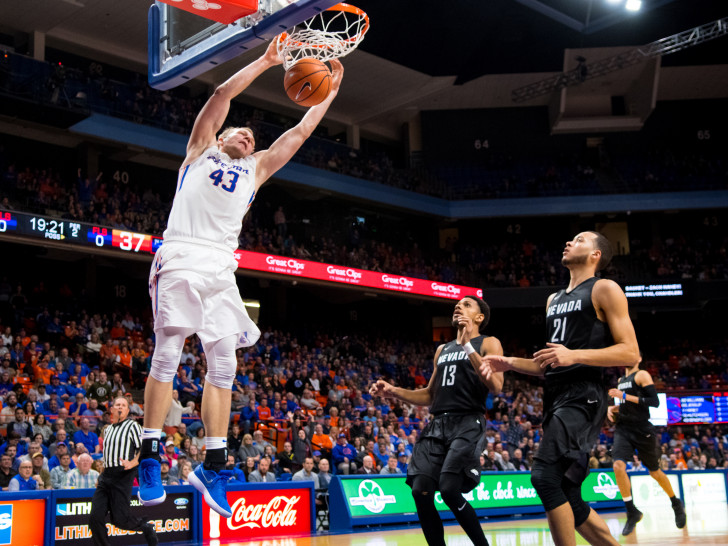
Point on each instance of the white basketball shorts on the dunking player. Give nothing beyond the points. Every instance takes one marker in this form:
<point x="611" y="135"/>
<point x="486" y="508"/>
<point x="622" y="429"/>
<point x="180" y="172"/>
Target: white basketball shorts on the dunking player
<point x="193" y="287"/>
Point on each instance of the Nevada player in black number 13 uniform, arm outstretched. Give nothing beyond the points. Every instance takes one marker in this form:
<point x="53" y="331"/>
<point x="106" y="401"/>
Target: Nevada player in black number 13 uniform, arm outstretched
<point x="446" y="455"/>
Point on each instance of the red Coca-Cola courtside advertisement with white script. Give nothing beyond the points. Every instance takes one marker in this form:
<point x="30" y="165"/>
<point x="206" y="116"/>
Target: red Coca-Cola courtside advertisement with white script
<point x="265" y="511"/>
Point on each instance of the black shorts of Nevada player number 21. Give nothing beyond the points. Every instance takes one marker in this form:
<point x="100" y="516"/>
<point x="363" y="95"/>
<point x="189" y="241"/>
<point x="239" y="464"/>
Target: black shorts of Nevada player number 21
<point x="572" y="421"/>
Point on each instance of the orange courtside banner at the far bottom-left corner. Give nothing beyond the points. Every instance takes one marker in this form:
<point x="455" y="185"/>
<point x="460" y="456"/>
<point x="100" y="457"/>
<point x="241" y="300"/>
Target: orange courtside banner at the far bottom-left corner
<point x="22" y="522"/>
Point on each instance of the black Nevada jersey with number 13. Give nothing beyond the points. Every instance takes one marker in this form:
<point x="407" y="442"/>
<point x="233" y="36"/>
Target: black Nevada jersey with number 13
<point x="457" y="388"/>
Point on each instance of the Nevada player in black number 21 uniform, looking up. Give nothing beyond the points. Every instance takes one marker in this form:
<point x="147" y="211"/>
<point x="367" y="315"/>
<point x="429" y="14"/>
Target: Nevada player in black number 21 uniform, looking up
<point x="588" y="327"/>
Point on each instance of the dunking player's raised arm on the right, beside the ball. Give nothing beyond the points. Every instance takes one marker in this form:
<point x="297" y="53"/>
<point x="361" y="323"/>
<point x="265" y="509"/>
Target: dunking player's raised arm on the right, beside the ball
<point x="284" y="148"/>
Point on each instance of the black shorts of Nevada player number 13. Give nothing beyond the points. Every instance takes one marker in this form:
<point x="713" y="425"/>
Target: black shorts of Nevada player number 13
<point x="450" y="443"/>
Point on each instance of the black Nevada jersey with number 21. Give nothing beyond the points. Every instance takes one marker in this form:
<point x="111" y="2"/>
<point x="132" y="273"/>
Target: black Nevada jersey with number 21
<point x="571" y="320"/>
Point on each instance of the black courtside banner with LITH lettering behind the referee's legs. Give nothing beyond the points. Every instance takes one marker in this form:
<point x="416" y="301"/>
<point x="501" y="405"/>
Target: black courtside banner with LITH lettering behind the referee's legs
<point x="172" y="520"/>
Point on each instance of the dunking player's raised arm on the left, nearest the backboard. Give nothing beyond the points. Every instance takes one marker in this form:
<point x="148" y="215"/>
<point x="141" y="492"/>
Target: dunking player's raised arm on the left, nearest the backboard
<point x="210" y="119"/>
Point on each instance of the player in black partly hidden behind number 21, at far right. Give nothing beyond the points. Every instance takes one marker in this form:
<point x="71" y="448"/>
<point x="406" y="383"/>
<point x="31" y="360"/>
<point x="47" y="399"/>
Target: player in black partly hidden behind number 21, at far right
<point x="634" y="432"/>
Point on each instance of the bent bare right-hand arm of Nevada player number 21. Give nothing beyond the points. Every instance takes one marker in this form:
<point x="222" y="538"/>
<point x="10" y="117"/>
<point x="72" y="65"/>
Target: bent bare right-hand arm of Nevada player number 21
<point x="611" y="303"/>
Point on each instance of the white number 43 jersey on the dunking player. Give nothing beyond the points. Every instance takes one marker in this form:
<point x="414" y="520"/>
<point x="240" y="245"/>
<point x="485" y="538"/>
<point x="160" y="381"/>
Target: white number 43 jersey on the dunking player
<point x="213" y="194"/>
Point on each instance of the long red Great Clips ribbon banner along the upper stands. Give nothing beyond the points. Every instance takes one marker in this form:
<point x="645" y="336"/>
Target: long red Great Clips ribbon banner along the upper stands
<point x="393" y="282"/>
